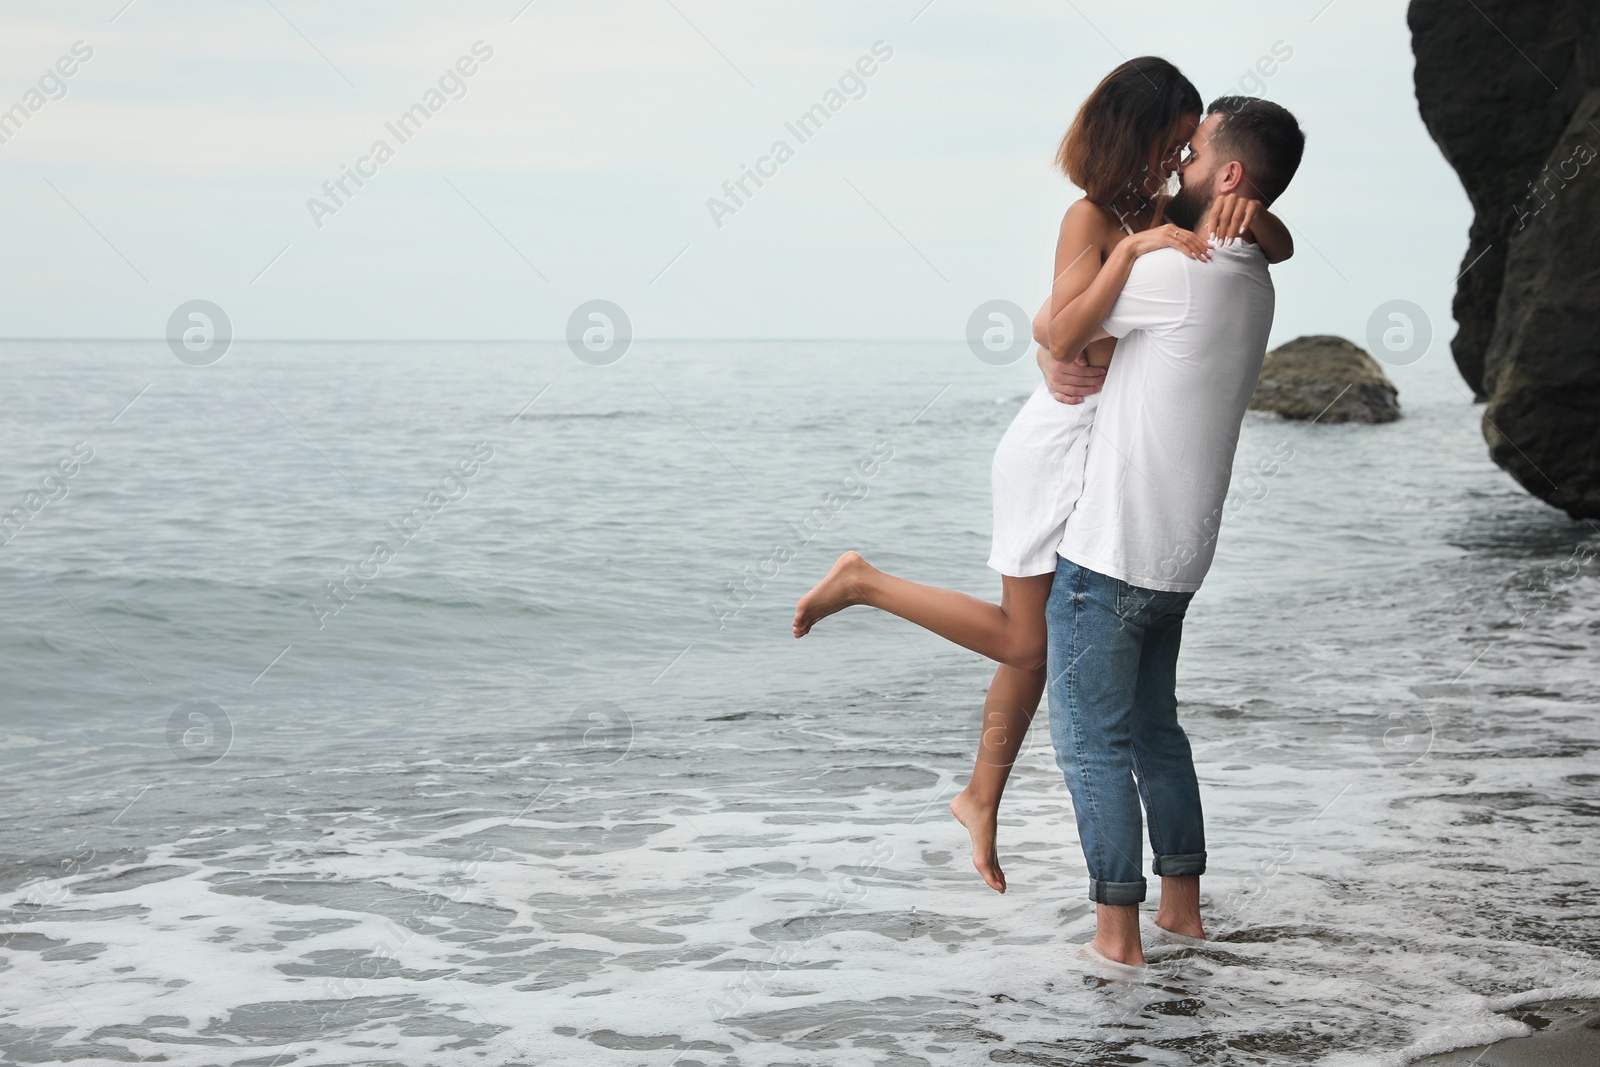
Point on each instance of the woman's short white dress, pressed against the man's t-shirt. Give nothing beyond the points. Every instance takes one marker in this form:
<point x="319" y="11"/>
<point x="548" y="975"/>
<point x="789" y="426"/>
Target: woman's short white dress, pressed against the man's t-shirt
<point x="1038" y="478"/>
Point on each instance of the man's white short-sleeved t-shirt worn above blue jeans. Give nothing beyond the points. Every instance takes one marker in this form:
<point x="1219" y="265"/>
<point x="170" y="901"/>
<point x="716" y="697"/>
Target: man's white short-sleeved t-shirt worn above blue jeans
<point x="1191" y="342"/>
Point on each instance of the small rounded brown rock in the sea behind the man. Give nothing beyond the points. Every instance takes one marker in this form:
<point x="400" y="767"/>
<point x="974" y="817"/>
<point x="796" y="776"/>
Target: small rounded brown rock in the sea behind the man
<point x="1327" y="380"/>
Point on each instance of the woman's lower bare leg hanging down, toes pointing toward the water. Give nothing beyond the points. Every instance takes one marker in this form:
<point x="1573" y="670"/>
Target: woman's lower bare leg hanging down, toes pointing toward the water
<point x="1014" y="698"/>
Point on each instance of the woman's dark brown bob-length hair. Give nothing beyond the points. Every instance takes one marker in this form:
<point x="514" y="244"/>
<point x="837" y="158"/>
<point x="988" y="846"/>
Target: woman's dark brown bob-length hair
<point x="1108" y="148"/>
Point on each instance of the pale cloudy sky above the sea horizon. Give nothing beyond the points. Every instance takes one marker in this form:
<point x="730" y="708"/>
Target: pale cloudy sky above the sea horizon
<point x="188" y="153"/>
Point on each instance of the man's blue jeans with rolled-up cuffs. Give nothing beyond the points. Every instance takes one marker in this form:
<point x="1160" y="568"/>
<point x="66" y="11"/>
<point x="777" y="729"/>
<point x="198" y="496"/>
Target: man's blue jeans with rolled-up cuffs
<point x="1114" y="722"/>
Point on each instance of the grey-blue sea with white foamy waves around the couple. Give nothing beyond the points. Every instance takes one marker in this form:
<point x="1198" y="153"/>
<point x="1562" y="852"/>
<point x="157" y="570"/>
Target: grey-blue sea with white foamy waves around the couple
<point x="374" y="703"/>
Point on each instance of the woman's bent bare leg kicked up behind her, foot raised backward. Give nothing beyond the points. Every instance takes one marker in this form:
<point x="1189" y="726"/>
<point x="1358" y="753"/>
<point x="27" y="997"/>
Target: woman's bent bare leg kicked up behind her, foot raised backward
<point x="1010" y="633"/>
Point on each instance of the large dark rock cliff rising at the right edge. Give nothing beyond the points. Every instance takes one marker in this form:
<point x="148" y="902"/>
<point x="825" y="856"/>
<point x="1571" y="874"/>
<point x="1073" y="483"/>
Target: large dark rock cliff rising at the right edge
<point x="1510" y="92"/>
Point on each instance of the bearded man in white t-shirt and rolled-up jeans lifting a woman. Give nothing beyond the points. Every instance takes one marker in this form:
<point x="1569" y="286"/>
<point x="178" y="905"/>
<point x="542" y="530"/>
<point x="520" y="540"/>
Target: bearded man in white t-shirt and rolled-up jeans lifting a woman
<point x="1142" y="538"/>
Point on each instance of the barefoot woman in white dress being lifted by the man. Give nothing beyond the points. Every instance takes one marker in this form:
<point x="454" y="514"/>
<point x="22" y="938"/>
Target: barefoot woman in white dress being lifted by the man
<point x="1122" y="150"/>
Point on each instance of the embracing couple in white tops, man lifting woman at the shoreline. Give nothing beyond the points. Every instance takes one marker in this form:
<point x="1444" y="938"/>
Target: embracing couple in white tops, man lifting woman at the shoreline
<point x="1110" y="484"/>
